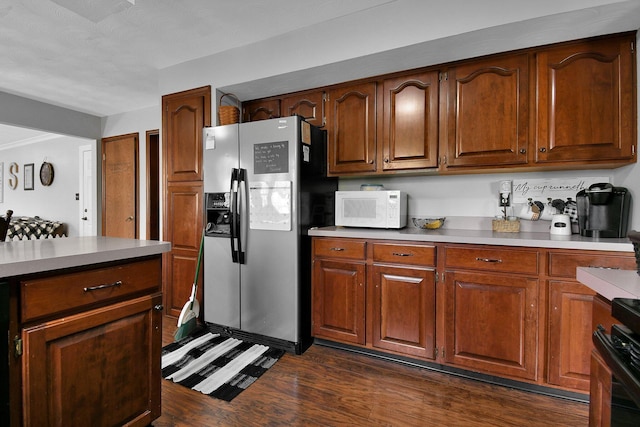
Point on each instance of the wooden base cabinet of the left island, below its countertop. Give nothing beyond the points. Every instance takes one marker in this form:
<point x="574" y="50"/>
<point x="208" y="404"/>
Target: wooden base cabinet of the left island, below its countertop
<point x="91" y="357"/>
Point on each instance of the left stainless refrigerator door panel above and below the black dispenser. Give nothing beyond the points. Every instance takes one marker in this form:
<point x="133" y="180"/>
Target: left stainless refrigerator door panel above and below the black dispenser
<point x="221" y="275"/>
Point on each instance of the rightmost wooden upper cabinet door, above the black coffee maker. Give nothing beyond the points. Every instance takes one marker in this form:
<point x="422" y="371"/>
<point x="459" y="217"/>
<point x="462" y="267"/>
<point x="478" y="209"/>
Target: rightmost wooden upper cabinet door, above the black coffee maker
<point x="586" y="101"/>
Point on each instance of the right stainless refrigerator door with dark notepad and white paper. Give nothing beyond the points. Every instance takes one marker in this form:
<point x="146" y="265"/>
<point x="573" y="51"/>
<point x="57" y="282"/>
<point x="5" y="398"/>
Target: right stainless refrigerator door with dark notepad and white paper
<point x="269" y="280"/>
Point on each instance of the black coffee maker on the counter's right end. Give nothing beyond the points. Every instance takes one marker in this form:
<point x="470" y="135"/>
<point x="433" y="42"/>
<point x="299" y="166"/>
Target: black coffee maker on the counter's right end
<point x="603" y="211"/>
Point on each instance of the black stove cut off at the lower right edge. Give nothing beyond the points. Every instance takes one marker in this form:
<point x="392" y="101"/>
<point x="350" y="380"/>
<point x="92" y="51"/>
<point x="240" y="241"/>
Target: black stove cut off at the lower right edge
<point x="621" y="352"/>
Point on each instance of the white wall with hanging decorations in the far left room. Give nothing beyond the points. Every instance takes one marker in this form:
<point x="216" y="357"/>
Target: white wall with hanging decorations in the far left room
<point x="56" y="202"/>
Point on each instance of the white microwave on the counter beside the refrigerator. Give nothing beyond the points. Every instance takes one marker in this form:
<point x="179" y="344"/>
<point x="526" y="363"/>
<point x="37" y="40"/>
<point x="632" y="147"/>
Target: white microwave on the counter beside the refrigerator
<point x="376" y="209"/>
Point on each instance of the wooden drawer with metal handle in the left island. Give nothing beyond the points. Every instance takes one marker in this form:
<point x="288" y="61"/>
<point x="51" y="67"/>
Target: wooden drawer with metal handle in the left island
<point x="69" y="292"/>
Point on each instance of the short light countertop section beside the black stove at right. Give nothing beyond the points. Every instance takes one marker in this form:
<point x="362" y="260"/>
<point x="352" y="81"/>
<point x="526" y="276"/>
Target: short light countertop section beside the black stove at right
<point x="611" y="283"/>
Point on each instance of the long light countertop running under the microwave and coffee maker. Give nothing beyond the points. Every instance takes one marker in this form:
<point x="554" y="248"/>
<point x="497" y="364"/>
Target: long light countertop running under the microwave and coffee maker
<point x="481" y="237"/>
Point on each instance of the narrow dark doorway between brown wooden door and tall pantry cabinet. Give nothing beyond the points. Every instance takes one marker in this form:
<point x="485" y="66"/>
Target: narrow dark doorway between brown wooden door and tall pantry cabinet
<point x="153" y="184"/>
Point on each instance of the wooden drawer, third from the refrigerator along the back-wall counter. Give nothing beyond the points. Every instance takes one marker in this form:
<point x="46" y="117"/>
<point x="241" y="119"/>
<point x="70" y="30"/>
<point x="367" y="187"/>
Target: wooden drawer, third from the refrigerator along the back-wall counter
<point x="493" y="259"/>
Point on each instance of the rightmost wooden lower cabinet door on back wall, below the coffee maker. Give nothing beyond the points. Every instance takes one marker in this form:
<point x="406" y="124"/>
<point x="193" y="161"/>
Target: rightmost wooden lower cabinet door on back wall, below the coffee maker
<point x="570" y="332"/>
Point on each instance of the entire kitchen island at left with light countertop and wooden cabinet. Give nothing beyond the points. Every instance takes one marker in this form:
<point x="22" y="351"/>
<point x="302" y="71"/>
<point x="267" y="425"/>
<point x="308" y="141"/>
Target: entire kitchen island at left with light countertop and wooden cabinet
<point x="83" y="316"/>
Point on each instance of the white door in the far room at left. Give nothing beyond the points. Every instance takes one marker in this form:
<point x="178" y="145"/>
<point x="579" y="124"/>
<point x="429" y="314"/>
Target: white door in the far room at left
<point x="87" y="205"/>
